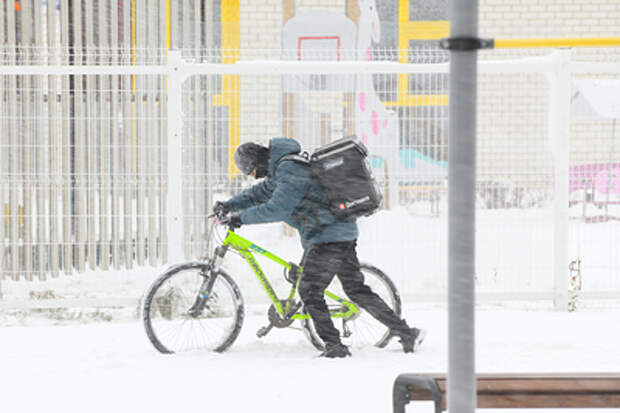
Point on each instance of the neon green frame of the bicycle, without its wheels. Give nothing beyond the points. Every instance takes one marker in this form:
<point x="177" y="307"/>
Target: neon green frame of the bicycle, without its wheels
<point x="246" y="249"/>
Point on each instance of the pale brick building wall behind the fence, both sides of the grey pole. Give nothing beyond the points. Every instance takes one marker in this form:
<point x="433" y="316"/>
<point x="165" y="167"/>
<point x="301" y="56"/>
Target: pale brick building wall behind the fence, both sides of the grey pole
<point x="513" y="116"/>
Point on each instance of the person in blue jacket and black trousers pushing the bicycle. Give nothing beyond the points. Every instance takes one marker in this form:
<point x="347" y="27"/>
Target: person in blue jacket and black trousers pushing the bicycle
<point x="291" y="193"/>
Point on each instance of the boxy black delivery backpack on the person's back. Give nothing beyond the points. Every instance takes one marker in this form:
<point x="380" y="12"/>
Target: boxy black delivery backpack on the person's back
<point x="343" y="171"/>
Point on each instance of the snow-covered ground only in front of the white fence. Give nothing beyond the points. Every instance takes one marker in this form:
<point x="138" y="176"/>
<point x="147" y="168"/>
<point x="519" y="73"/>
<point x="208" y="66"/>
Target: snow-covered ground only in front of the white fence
<point x="111" y="367"/>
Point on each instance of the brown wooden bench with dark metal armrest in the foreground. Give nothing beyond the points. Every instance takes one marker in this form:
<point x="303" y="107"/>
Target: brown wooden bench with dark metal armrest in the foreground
<point x="499" y="391"/>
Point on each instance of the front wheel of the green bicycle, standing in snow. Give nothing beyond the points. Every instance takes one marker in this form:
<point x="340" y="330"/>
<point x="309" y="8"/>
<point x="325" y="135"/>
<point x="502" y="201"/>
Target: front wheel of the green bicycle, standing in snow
<point x="174" y="322"/>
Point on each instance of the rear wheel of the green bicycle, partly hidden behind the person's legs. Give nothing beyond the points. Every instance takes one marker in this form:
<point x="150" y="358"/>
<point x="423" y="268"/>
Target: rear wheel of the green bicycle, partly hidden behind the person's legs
<point x="365" y="330"/>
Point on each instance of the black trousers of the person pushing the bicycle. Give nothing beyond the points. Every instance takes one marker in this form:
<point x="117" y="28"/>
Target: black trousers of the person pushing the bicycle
<point x="320" y="264"/>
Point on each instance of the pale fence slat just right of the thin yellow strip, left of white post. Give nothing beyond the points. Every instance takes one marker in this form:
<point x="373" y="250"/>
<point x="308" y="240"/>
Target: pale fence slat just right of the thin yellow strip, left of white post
<point x="140" y="131"/>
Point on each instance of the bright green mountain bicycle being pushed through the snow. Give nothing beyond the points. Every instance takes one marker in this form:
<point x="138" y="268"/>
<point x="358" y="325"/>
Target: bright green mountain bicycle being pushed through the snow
<point x="198" y="306"/>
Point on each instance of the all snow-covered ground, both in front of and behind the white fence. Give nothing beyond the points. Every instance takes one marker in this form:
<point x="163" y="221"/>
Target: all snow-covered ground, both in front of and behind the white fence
<point x="73" y="361"/>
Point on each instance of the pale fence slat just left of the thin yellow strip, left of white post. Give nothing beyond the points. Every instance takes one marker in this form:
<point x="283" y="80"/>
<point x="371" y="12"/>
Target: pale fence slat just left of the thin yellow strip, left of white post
<point x="127" y="140"/>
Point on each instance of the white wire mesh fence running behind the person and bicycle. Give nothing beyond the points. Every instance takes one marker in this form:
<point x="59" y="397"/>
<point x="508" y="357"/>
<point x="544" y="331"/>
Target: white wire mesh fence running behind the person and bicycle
<point x="109" y="160"/>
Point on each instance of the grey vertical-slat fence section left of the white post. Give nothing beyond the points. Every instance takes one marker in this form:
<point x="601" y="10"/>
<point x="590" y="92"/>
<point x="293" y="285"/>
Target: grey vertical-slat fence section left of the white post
<point x="82" y="153"/>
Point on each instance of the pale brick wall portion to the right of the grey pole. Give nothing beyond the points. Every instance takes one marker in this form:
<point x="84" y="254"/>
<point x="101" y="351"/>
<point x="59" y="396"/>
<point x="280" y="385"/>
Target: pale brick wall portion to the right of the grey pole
<point x="589" y="141"/>
